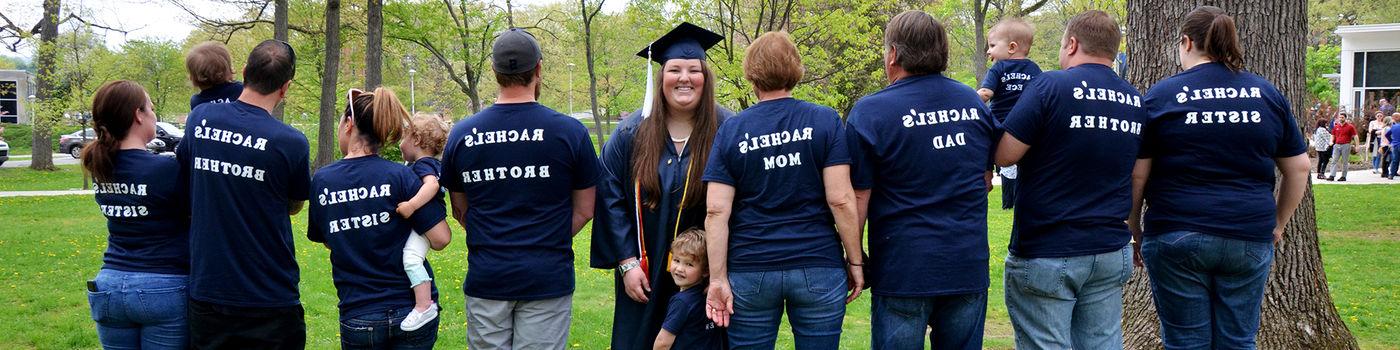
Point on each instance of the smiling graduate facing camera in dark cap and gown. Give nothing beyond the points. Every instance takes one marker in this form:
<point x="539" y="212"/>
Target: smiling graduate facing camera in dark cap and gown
<point x="653" y="164"/>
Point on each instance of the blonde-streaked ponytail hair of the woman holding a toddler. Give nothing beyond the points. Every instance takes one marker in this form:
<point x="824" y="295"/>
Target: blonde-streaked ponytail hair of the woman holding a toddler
<point x="379" y="117"/>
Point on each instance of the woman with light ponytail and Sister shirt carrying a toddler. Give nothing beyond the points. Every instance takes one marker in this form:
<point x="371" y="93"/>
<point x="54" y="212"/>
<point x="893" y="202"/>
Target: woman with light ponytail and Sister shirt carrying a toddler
<point x="353" y="205"/>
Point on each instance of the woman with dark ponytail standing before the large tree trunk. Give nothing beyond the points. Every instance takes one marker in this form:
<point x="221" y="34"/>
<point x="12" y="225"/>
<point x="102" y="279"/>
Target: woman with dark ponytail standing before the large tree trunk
<point x="1216" y="134"/>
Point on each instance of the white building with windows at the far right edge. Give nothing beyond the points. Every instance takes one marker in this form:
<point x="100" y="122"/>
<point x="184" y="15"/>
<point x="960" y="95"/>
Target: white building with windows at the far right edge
<point x="1370" y="66"/>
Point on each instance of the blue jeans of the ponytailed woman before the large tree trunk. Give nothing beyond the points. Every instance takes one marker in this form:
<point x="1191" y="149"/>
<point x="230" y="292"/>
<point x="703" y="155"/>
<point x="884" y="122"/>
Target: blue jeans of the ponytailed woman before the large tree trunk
<point x="1207" y="289"/>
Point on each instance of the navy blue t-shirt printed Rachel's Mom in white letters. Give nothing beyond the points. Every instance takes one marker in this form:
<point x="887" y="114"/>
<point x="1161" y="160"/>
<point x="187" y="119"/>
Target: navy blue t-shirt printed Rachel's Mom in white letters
<point x="773" y="156"/>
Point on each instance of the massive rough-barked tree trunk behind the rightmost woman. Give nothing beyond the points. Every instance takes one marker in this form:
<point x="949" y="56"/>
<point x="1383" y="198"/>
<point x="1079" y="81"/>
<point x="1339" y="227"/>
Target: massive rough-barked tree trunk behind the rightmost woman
<point x="1297" y="309"/>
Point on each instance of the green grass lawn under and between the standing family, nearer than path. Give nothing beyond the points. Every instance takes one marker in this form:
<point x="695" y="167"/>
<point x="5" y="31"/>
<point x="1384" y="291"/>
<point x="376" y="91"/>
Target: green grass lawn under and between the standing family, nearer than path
<point x="52" y="246"/>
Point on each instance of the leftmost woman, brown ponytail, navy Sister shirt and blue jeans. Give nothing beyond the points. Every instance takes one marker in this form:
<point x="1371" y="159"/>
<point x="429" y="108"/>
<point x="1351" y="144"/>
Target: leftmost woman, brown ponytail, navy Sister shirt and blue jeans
<point x="139" y="296"/>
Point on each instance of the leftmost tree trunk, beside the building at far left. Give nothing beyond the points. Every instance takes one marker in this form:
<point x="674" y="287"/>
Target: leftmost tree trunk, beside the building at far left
<point x="43" y="138"/>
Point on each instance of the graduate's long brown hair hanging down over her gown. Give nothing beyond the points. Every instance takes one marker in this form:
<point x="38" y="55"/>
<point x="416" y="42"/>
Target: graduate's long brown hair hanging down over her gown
<point x="653" y="138"/>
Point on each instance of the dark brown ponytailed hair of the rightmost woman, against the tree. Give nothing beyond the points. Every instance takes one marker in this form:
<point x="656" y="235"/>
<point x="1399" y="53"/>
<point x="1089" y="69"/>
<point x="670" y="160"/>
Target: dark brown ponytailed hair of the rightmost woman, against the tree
<point x="1213" y="33"/>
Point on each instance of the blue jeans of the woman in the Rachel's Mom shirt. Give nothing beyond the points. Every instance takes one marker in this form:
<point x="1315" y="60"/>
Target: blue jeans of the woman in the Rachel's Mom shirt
<point x="814" y="299"/>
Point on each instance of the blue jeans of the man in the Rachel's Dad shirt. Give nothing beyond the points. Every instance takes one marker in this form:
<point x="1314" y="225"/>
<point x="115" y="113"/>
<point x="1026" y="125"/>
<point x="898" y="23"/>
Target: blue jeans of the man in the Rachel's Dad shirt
<point x="957" y="321"/>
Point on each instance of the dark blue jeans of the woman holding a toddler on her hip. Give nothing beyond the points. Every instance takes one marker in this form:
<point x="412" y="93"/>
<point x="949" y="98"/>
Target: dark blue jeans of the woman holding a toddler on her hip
<point x="381" y="331"/>
